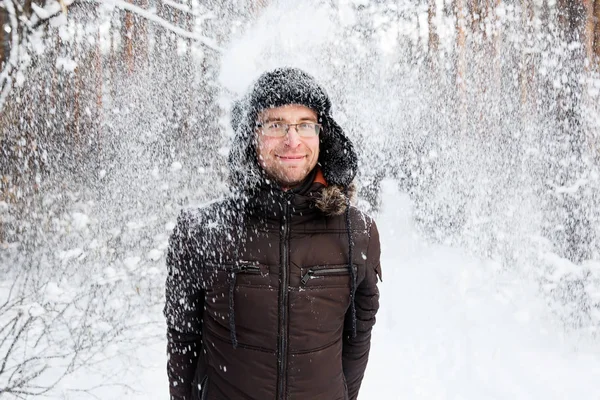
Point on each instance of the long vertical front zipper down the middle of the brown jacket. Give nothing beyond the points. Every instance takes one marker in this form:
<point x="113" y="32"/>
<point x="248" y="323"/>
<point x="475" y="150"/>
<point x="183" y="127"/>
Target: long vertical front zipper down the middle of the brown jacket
<point x="283" y="295"/>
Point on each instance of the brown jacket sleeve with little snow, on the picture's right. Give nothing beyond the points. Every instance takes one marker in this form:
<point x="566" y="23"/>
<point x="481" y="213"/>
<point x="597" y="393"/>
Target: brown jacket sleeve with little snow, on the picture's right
<point x="355" y="351"/>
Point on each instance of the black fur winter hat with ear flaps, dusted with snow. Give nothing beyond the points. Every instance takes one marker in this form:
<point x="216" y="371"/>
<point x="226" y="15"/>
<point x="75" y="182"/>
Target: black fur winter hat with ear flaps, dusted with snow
<point x="280" y="87"/>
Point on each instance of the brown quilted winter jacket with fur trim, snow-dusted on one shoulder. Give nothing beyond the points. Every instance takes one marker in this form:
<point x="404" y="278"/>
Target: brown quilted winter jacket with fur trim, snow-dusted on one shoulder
<point x="258" y="296"/>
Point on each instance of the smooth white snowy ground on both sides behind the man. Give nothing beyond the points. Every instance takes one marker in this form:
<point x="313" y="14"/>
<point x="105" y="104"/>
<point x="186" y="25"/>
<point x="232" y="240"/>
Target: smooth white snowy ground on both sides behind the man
<point x="450" y="327"/>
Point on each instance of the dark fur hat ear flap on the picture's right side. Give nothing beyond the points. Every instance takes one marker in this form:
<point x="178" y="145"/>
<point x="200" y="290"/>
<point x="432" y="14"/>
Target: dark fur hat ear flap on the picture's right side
<point x="337" y="157"/>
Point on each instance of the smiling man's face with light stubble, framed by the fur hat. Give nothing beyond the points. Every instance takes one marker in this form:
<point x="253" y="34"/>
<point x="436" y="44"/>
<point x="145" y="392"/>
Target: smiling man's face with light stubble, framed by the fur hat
<point x="290" y="158"/>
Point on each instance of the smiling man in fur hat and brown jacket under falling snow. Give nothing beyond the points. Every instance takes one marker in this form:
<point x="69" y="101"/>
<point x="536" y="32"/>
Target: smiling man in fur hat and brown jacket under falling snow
<point x="272" y="292"/>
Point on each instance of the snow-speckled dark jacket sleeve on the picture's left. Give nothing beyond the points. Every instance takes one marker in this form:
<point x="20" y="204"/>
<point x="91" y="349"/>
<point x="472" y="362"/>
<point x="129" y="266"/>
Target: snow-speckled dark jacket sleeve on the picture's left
<point x="183" y="312"/>
